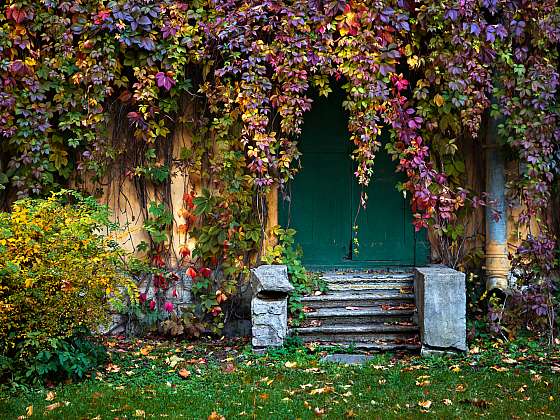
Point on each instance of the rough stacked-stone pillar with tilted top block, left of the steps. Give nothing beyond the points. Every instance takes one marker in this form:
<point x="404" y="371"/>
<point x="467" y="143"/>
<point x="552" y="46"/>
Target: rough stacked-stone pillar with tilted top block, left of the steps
<point x="269" y="306"/>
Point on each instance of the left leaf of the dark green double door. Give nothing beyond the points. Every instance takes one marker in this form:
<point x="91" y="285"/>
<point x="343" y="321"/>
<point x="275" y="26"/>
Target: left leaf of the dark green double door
<point x="319" y="209"/>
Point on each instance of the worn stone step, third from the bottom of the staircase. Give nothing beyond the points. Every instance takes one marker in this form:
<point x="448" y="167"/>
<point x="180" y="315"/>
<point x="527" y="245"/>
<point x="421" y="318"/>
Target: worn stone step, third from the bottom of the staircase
<point x="357" y="316"/>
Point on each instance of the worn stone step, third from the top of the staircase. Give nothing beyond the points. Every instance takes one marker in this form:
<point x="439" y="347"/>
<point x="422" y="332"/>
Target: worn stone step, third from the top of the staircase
<point x="362" y="299"/>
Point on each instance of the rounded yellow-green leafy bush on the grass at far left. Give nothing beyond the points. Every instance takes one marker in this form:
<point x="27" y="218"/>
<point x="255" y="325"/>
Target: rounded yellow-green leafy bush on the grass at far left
<point x="58" y="275"/>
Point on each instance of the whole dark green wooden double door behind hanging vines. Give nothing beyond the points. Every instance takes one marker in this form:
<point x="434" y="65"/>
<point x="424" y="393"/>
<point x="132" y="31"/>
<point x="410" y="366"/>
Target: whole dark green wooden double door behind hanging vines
<point x="323" y="199"/>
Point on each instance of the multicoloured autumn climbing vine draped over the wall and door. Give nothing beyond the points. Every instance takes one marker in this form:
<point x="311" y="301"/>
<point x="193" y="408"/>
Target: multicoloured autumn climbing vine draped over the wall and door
<point x="96" y="86"/>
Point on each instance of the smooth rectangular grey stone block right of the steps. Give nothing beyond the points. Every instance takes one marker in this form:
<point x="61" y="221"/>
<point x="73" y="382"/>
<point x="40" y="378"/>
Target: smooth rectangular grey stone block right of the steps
<point x="441" y="302"/>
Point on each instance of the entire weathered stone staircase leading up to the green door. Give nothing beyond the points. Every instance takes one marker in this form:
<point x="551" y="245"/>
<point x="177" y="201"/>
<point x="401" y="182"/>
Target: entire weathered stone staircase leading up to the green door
<point x="368" y="311"/>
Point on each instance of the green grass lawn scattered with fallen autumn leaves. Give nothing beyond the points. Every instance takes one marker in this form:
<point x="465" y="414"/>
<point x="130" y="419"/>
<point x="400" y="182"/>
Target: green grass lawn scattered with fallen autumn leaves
<point x="179" y="380"/>
